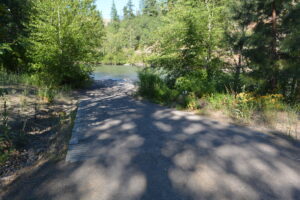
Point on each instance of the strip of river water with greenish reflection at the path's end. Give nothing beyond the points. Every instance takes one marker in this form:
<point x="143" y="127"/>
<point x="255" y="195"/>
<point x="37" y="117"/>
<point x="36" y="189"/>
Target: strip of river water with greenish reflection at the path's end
<point x="113" y="72"/>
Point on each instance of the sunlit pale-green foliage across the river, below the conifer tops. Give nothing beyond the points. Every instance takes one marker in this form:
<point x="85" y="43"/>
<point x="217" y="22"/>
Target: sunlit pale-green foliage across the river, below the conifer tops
<point x="128" y="42"/>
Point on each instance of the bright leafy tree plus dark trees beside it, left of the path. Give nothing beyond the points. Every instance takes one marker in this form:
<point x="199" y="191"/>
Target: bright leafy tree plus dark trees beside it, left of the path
<point x="50" y="40"/>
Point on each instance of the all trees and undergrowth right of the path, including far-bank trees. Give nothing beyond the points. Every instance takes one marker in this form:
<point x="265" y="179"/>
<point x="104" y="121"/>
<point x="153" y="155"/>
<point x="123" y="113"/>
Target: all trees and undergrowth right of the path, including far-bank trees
<point x="240" y="57"/>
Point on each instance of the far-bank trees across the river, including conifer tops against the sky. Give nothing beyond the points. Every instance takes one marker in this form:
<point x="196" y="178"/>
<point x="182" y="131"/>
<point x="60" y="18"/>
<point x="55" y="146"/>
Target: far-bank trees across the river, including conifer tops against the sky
<point x="130" y="37"/>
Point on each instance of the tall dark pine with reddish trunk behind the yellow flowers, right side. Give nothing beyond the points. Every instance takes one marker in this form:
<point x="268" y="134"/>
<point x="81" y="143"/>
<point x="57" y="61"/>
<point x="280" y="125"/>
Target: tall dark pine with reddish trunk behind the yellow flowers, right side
<point x="264" y="44"/>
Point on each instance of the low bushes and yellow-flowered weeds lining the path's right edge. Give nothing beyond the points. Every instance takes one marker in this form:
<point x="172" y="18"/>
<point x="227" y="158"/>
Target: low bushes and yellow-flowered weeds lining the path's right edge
<point x="194" y="91"/>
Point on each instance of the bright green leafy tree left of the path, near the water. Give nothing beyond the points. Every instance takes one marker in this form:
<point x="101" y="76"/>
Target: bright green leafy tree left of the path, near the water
<point x="63" y="34"/>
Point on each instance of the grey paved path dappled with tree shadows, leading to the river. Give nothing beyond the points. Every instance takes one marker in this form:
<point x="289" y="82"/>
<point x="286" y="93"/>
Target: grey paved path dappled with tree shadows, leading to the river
<point x="130" y="149"/>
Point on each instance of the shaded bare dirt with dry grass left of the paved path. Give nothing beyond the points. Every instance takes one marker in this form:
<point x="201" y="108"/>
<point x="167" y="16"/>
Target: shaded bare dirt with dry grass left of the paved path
<point x="33" y="125"/>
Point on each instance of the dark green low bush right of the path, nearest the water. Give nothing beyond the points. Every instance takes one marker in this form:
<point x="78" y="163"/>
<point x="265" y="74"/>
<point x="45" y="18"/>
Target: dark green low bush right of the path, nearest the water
<point x="185" y="92"/>
